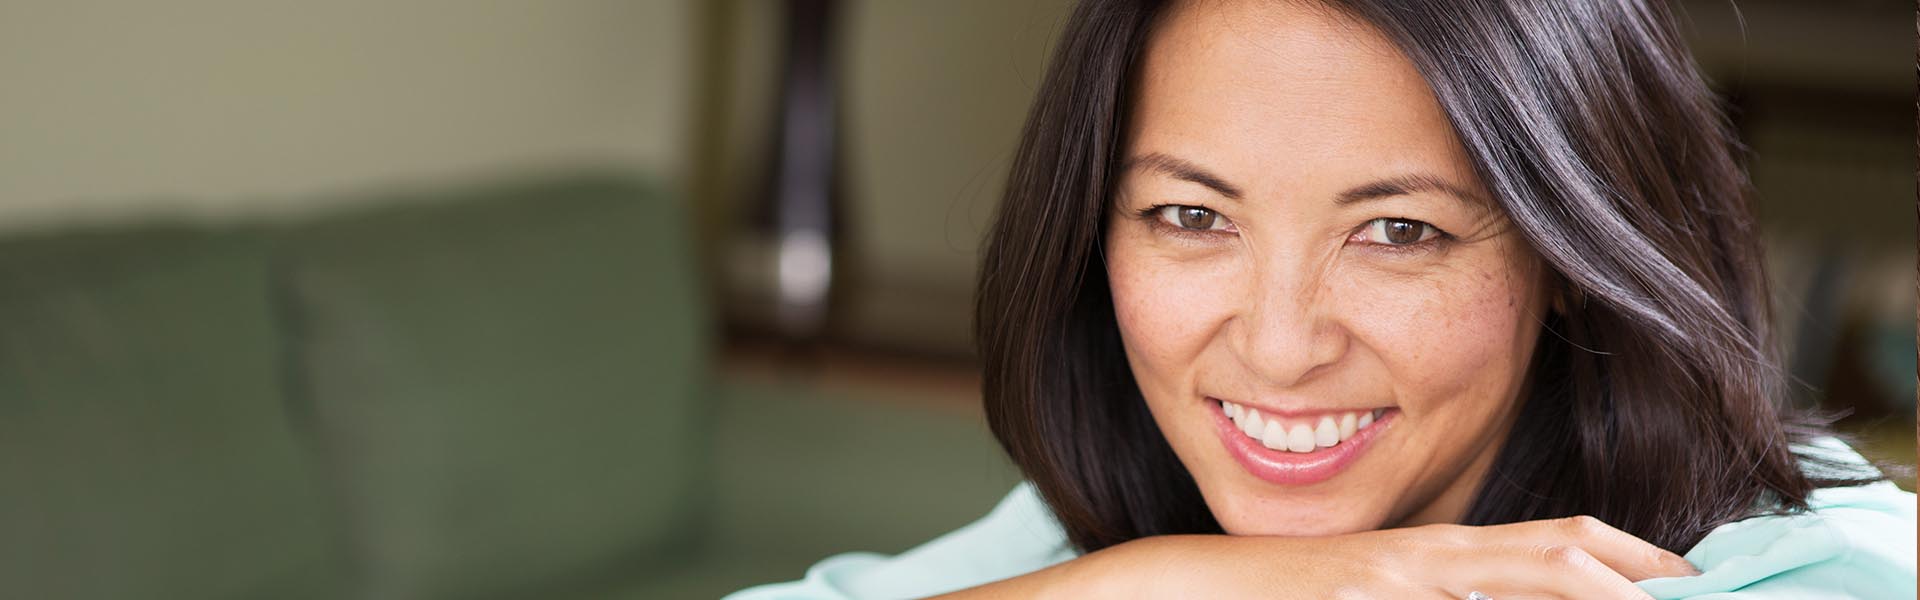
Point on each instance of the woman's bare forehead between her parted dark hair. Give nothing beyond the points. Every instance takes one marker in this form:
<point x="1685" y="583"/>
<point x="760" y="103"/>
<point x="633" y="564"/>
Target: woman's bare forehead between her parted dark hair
<point x="1282" y="95"/>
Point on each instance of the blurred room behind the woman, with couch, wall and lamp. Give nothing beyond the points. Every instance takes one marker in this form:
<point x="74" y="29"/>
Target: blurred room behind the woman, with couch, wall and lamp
<point x="635" y="299"/>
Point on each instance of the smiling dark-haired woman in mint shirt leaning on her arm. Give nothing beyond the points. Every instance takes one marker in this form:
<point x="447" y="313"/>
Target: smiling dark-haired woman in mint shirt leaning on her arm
<point x="1389" y="301"/>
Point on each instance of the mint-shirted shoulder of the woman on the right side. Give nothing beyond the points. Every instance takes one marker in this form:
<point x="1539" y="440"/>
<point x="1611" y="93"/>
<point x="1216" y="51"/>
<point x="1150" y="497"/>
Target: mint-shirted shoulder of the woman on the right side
<point x="1854" y="543"/>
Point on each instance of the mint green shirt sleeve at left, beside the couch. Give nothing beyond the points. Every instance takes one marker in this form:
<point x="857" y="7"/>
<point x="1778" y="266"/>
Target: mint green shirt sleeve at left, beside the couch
<point x="1019" y="537"/>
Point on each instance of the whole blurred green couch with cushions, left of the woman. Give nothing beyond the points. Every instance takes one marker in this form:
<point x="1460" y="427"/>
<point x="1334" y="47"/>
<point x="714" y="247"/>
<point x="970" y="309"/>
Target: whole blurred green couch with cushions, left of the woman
<point x="492" y="393"/>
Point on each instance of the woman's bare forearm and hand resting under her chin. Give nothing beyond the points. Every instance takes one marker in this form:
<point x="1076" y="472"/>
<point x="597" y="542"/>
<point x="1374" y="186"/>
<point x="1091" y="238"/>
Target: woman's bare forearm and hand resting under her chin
<point x="1562" y="559"/>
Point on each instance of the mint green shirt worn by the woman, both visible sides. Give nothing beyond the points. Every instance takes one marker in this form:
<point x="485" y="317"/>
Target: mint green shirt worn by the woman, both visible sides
<point x="1856" y="543"/>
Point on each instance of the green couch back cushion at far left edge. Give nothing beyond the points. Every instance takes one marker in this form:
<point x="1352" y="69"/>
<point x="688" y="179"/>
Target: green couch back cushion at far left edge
<point x="145" y="449"/>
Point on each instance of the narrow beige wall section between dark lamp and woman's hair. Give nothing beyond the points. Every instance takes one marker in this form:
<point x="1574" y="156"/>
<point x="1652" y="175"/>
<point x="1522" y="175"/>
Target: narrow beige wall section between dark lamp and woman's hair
<point x="938" y="93"/>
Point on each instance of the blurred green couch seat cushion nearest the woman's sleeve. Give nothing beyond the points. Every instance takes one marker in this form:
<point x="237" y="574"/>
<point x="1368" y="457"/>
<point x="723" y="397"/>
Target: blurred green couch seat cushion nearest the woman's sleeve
<point x="807" y="468"/>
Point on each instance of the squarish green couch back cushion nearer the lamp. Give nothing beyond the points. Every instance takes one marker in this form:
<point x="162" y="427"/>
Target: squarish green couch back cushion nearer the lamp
<point x="506" y="384"/>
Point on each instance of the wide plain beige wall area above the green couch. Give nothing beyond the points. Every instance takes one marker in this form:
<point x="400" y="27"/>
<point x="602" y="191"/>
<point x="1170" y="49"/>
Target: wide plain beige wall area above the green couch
<point x="218" y="109"/>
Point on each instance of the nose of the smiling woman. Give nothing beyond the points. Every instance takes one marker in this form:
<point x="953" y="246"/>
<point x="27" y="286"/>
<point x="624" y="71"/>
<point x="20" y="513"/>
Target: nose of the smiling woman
<point x="1285" y="330"/>
